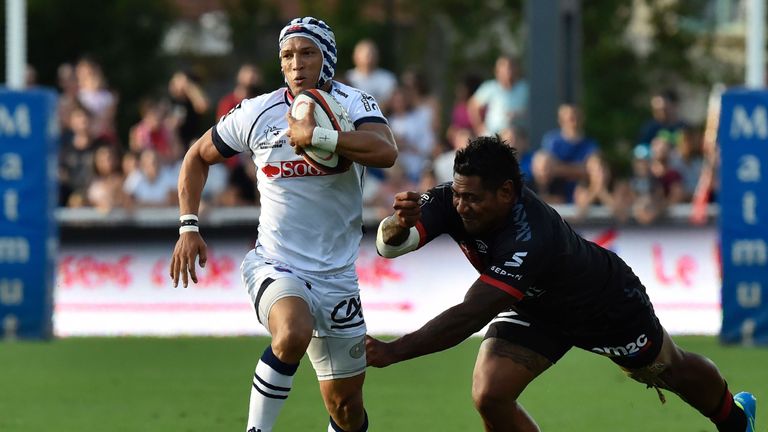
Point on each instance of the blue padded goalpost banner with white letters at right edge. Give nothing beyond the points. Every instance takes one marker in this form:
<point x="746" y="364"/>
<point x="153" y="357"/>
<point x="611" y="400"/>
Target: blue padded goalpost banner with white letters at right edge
<point x="743" y="139"/>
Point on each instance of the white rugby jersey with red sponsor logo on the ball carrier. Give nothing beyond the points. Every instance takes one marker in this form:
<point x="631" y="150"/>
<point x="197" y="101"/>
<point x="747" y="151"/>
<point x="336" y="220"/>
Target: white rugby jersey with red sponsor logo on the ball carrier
<point x="309" y="220"/>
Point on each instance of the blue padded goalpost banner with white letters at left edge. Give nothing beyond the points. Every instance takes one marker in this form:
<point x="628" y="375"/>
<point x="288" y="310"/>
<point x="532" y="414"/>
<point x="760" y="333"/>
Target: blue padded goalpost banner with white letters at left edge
<point x="28" y="197"/>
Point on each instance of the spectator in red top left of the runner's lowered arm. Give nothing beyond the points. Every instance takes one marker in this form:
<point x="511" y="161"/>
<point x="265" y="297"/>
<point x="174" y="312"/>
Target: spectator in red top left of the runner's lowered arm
<point x="155" y="131"/>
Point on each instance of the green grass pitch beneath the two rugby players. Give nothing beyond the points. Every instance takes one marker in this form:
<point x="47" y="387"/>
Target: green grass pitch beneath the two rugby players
<point x="202" y="384"/>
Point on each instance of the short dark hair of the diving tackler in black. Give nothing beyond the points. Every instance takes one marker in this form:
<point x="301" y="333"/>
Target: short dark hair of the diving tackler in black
<point x="492" y="159"/>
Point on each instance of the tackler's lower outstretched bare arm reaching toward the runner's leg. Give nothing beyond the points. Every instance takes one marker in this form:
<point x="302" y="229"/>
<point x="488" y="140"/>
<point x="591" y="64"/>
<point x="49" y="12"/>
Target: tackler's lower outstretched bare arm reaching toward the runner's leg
<point x="480" y="305"/>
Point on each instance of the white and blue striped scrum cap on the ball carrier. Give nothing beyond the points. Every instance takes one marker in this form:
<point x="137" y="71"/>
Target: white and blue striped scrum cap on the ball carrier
<point x="321" y="35"/>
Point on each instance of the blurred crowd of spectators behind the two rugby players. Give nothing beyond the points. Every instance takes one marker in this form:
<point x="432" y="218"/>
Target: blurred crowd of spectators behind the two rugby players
<point x="671" y="161"/>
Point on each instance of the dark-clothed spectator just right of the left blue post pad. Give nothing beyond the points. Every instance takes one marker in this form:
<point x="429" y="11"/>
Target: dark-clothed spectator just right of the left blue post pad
<point x="76" y="157"/>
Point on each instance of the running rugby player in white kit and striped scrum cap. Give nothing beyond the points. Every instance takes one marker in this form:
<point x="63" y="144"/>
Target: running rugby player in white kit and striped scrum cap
<point x="301" y="274"/>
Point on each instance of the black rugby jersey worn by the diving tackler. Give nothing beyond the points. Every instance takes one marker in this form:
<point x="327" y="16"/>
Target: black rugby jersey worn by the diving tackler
<point x="536" y="256"/>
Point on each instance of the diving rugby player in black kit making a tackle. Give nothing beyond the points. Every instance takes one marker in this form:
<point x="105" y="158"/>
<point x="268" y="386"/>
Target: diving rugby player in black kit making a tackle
<point x="544" y="289"/>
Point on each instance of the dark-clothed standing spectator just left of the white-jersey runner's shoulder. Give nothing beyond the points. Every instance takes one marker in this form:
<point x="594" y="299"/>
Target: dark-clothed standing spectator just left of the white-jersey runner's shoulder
<point x="188" y="105"/>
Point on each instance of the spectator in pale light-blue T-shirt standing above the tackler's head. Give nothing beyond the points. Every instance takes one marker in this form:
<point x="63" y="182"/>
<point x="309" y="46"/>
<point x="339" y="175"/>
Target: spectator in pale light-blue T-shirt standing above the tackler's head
<point x="504" y="99"/>
